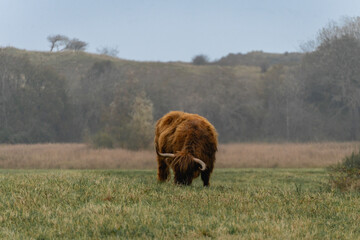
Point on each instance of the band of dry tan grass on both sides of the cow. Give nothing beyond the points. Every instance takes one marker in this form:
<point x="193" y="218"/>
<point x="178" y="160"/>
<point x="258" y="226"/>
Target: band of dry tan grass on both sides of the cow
<point x="80" y="156"/>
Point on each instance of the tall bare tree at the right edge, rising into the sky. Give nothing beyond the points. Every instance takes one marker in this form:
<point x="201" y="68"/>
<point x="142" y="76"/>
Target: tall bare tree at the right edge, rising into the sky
<point x="332" y="79"/>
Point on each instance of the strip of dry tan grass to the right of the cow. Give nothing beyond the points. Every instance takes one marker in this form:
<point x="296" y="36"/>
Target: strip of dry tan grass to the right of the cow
<point x="284" y="155"/>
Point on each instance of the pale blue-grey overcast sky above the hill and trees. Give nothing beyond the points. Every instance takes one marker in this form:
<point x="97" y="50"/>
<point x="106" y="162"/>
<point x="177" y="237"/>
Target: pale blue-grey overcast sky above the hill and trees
<point x="171" y="30"/>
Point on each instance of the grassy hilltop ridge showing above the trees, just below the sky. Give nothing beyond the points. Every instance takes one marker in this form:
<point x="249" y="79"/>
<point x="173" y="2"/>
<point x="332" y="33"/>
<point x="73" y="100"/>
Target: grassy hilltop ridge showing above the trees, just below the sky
<point x="74" y="65"/>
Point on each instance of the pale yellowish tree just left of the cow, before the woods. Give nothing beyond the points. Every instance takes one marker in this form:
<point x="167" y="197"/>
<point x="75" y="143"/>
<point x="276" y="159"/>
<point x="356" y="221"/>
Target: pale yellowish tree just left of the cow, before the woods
<point x="127" y="122"/>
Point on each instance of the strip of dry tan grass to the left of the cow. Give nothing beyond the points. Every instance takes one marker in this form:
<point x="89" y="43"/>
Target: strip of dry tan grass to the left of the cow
<point x="72" y="156"/>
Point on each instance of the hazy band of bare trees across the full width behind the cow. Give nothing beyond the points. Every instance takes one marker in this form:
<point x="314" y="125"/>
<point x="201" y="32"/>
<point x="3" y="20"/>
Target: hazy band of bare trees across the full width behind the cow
<point x="116" y="105"/>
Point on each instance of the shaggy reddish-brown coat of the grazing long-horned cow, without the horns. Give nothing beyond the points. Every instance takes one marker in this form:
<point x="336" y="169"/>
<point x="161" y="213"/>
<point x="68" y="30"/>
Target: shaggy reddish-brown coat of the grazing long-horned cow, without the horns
<point x="187" y="136"/>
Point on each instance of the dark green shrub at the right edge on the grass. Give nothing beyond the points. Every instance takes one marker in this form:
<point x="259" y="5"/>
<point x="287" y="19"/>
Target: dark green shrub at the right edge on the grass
<point x="346" y="175"/>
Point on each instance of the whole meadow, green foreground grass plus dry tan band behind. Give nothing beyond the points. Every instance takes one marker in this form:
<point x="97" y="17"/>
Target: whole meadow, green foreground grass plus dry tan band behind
<point x="258" y="191"/>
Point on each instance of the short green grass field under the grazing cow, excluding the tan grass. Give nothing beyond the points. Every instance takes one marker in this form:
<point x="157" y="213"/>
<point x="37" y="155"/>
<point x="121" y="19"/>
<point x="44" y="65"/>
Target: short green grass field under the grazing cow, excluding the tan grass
<point x="240" y="204"/>
